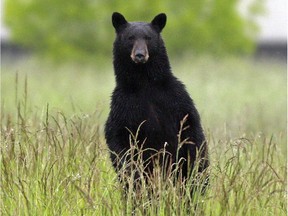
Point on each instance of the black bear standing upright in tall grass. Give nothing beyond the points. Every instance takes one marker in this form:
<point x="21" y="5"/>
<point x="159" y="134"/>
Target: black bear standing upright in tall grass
<point x="148" y="94"/>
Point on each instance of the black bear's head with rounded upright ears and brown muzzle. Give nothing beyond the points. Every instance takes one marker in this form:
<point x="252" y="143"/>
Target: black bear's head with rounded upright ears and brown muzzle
<point x="138" y="40"/>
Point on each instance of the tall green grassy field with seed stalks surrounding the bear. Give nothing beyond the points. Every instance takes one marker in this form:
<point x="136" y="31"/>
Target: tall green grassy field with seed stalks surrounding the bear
<point x="54" y="160"/>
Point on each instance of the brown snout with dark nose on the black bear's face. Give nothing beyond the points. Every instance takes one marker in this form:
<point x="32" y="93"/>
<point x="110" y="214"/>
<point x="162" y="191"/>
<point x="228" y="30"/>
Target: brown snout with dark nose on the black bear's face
<point x="139" y="52"/>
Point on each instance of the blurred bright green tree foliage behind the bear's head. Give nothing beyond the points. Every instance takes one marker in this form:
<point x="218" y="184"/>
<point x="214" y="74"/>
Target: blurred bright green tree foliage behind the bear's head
<point x="82" y="29"/>
